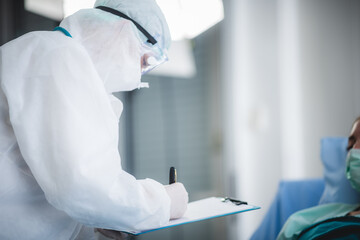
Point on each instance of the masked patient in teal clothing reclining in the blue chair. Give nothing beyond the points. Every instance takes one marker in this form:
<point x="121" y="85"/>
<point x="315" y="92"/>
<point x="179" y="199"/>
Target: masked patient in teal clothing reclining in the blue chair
<point x="318" y="221"/>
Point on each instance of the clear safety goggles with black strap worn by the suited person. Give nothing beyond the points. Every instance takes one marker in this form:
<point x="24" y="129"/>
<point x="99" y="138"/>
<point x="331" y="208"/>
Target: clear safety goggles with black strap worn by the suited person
<point x="152" y="54"/>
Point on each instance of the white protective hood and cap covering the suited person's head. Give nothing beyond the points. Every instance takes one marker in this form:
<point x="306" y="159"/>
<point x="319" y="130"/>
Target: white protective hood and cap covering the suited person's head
<point x="114" y="43"/>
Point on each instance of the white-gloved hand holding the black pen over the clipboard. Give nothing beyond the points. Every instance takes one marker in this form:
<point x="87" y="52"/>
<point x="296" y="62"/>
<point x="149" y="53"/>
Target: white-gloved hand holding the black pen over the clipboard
<point x="179" y="199"/>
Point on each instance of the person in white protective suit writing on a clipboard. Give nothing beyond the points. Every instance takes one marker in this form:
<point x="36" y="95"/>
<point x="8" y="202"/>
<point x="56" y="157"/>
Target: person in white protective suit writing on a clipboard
<point x="60" y="168"/>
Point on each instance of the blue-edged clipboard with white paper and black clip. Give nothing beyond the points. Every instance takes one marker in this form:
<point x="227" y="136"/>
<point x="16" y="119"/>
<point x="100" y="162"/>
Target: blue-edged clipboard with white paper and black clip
<point x="204" y="209"/>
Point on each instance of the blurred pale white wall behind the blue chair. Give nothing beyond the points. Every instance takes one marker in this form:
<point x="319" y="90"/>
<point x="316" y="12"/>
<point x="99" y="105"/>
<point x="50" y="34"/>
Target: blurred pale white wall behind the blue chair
<point x="290" y="76"/>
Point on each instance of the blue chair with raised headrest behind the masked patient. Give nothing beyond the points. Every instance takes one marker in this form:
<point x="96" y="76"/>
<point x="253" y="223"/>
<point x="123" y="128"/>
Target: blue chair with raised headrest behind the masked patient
<point x="293" y="196"/>
